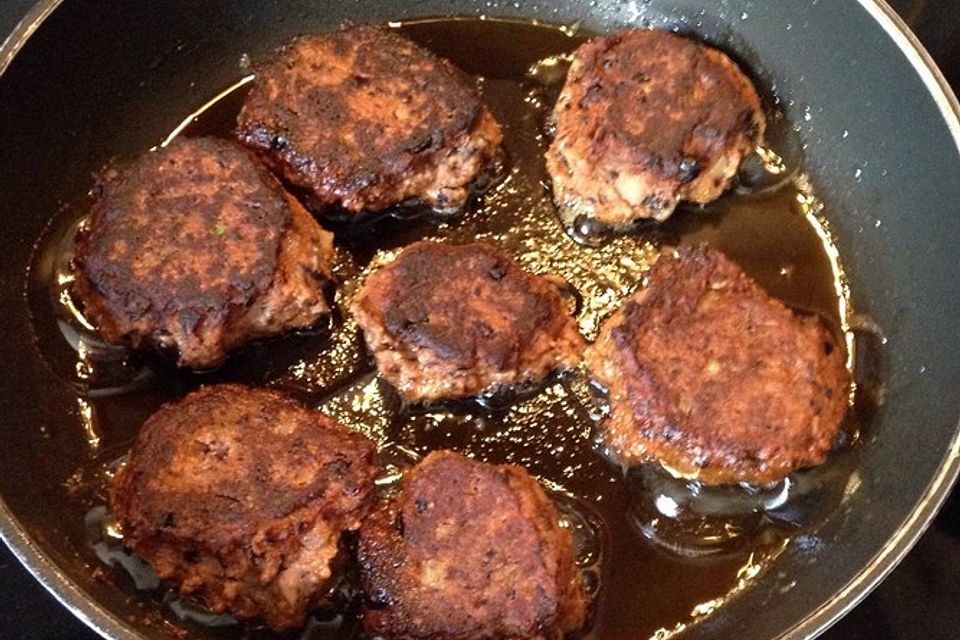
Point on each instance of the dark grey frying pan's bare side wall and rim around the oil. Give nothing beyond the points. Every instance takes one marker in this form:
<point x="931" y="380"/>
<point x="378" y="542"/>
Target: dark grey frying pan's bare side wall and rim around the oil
<point x="83" y="81"/>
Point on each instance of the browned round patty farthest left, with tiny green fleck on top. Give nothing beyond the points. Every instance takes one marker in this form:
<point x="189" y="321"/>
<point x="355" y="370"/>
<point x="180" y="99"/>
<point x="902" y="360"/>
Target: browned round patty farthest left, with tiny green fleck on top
<point x="194" y="248"/>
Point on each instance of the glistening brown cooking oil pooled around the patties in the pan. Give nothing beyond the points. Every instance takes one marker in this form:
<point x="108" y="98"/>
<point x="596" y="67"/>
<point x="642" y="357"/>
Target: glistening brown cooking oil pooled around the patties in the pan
<point x="657" y="553"/>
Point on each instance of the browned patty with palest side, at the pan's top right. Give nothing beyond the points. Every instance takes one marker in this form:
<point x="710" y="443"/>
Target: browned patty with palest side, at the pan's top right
<point x="645" y="119"/>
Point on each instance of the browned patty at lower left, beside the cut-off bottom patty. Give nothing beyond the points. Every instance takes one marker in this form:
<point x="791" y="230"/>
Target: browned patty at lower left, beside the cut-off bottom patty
<point x="239" y="496"/>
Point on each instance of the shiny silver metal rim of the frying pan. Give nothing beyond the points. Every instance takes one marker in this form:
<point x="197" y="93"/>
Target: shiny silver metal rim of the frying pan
<point x="111" y="627"/>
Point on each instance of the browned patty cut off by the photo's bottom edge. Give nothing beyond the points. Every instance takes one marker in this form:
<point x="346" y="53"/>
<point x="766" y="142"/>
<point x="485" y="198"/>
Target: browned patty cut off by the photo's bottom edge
<point x="469" y="551"/>
